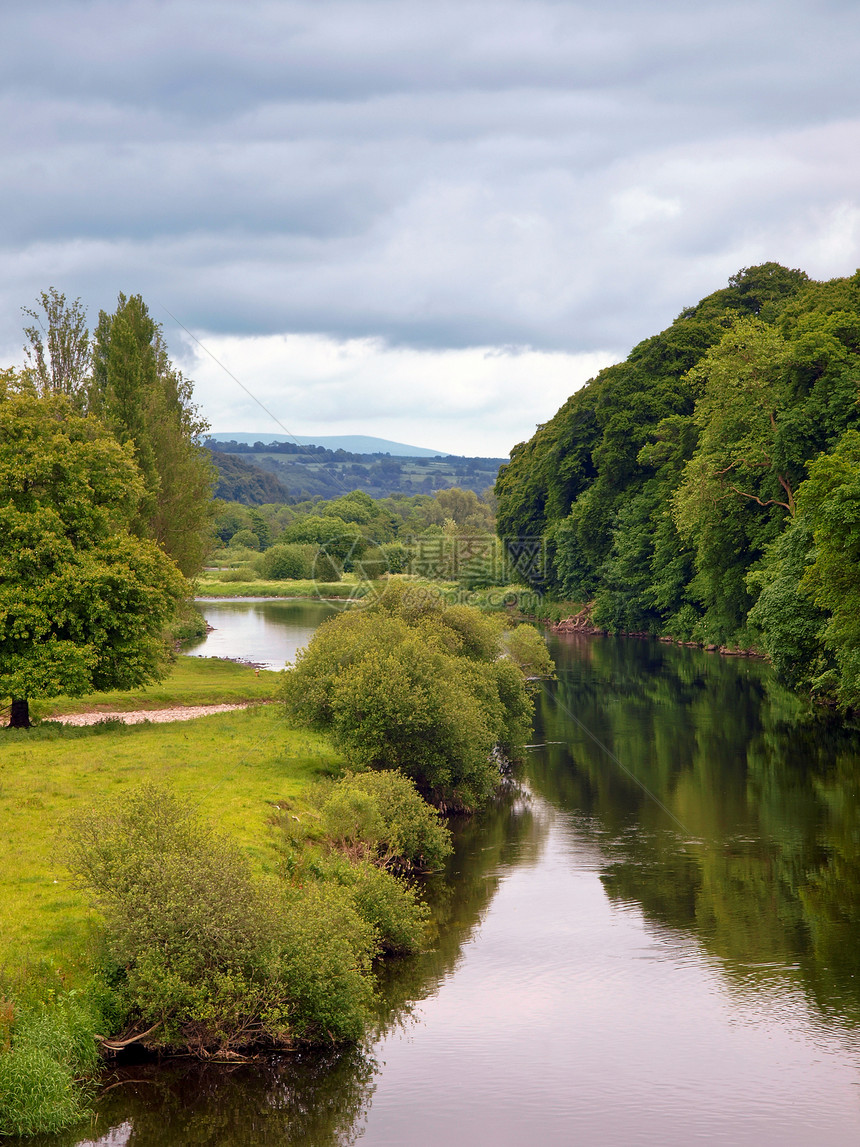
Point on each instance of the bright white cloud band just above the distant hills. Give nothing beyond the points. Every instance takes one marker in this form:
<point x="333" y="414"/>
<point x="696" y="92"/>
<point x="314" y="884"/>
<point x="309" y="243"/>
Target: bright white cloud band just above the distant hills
<point x="481" y="401"/>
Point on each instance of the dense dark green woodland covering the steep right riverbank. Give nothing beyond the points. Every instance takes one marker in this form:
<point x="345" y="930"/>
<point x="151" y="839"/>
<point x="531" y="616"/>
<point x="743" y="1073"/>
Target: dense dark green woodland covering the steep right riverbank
<point x="708" y="488"/>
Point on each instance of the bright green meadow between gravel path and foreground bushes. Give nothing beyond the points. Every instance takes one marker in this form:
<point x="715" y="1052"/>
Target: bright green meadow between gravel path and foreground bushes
<point x="236" y="767"/>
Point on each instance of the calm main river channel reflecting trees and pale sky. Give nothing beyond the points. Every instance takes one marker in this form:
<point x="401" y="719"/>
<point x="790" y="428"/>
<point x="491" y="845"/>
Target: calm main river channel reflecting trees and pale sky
<point x="652" y="941"/>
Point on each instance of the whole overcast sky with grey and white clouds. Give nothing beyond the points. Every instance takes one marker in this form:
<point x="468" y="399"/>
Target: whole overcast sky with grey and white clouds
<point x="429" y="222"/>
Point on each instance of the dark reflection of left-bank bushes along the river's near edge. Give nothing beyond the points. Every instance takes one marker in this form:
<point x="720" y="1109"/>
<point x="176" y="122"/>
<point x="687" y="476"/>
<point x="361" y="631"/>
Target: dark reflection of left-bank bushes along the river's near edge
<point x="311" y="1097"/>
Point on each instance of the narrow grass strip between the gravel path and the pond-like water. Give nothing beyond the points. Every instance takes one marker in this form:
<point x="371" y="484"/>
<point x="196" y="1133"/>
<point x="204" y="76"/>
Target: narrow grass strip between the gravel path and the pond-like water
<point x="192" y="682"/>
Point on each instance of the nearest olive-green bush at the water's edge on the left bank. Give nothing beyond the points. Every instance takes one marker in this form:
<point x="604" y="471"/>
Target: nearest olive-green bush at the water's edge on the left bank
<point x="210" y="956"/>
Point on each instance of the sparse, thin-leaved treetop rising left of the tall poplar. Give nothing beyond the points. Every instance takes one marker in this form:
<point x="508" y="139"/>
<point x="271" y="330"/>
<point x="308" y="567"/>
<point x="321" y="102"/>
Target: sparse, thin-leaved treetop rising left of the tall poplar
<point x="58" y="350"/>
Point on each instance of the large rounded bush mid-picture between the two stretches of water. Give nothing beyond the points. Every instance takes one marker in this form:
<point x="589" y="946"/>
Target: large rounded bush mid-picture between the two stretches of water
<point x="411" y="684"/>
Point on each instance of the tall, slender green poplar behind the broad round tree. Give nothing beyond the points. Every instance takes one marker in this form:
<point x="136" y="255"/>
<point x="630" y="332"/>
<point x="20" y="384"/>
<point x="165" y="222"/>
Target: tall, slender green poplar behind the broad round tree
<point x="147" y="402"/>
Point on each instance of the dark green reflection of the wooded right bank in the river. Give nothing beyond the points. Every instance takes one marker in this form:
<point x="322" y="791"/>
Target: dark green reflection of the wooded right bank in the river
<point x="768" y="868"/>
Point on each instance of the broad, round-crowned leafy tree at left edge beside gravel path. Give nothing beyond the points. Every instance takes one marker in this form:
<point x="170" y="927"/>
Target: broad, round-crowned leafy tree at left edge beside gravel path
<point x="83" y="602"/>
